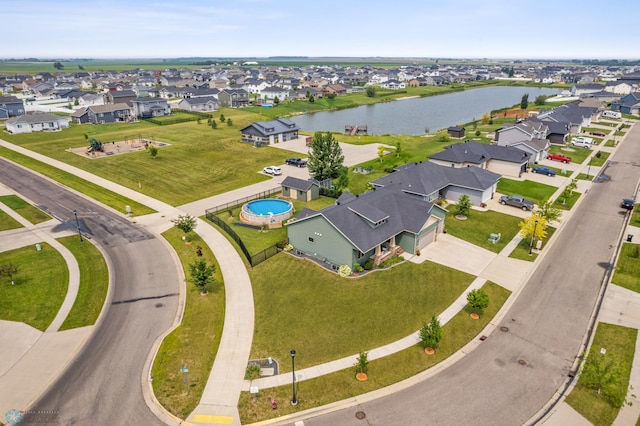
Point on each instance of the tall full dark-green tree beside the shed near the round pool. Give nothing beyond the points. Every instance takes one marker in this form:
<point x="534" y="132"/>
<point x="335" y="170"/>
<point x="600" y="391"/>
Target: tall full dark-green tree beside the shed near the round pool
<point x="325" y="156"/>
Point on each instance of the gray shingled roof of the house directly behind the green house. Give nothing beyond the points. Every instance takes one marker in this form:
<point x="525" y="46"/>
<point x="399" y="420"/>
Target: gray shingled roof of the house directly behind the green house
<point x="427" y="178"/>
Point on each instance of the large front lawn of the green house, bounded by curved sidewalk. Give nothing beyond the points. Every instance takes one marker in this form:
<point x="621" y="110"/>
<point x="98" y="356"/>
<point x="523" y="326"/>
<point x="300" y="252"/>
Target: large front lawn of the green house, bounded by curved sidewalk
<point x="300" y="305"/>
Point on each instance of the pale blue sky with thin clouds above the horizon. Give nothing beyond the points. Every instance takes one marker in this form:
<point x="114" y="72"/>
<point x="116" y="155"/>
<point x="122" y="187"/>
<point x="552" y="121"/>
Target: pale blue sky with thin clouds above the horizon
<point x="493" y="29"/>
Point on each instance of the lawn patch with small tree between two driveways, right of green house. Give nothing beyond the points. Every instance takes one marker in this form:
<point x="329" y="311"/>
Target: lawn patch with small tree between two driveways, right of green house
<point x="479" y="225"/>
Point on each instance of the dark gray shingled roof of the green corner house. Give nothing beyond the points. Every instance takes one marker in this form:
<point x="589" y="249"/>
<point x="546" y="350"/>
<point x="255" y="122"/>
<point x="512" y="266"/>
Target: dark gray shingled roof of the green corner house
<point x="401" y="211"/>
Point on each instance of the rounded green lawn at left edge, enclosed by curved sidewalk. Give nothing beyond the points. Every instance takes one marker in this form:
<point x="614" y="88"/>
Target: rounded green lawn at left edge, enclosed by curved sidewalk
<point x="40" y="286"/>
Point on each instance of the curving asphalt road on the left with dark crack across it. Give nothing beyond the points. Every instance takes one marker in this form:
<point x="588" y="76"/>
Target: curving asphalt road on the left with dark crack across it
<point x="103" y="384"/>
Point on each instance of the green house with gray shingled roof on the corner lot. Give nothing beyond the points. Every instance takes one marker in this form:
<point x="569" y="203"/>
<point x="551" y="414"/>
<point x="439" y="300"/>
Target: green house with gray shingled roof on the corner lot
<point x="378" y="225"/>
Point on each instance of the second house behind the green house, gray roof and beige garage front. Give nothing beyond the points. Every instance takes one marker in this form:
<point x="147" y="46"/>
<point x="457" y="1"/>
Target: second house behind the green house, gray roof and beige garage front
<point x="504" y="160"/>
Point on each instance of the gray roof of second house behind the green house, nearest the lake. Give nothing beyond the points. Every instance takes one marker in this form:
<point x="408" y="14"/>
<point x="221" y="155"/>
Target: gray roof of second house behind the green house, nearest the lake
<point x="479" y="153"/>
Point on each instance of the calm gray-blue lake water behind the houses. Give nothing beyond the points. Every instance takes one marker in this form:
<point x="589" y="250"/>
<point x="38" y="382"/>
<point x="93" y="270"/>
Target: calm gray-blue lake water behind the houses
<point x="413" y="116"/>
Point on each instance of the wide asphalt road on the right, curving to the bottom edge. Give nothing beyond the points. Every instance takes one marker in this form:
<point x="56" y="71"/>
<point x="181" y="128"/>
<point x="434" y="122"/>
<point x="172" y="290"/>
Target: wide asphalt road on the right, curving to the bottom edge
<point x="513" y="374"/>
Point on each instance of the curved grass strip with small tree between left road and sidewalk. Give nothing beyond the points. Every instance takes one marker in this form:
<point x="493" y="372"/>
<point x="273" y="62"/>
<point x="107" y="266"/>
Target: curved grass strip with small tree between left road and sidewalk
<point x="195" y="341"/>
